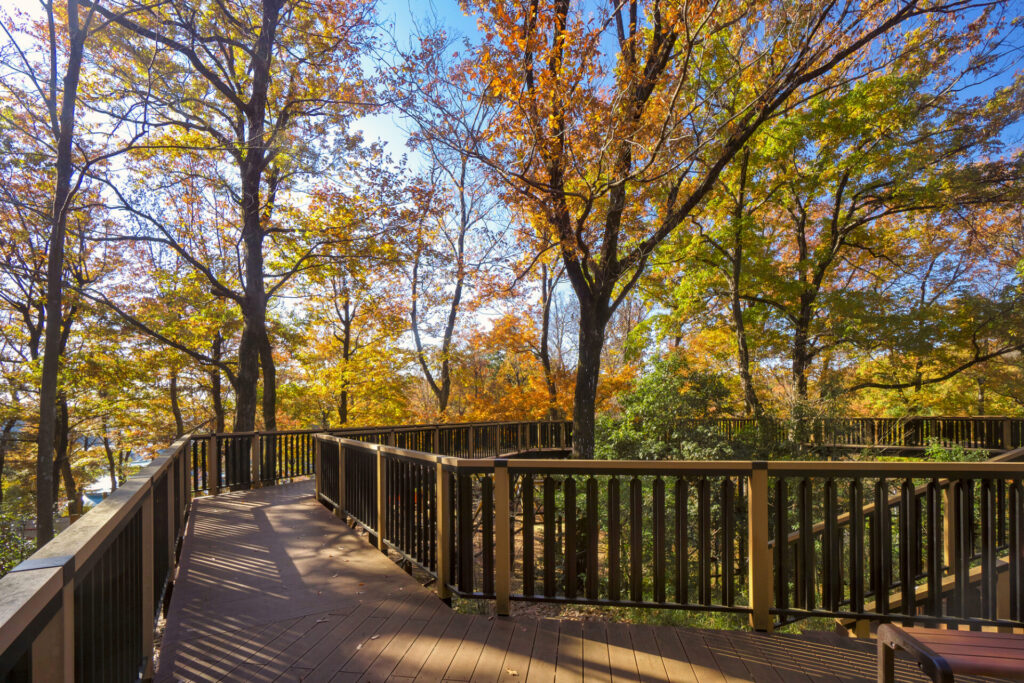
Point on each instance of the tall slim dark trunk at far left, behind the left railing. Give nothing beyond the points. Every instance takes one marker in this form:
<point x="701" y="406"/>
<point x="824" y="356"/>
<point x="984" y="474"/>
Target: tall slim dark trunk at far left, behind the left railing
<point x="64" y="136"/>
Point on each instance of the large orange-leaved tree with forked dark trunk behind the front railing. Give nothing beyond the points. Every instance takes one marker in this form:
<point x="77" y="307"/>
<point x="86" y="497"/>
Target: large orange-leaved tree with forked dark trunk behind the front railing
<point x="618" y="149"/>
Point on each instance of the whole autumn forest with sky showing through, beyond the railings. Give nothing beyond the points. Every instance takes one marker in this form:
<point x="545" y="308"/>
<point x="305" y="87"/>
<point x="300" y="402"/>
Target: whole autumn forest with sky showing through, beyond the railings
<point x="238" y="216"/>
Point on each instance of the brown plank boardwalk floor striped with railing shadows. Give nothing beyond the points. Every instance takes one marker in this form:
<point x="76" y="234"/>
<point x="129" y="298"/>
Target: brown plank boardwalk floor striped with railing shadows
<point x="272" y="587"/>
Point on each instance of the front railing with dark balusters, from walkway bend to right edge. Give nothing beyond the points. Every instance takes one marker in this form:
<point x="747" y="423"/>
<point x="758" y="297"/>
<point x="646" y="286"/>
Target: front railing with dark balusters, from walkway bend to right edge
<point x="698" y="535"/>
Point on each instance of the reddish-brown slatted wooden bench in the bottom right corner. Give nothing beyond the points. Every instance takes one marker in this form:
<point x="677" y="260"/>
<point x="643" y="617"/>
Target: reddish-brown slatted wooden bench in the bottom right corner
<point x="944" y="655"/>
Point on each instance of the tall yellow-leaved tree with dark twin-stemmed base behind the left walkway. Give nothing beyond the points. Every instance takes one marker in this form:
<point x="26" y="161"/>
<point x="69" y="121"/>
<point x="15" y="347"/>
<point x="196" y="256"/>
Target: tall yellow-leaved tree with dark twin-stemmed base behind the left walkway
<point x="250" y="91"/>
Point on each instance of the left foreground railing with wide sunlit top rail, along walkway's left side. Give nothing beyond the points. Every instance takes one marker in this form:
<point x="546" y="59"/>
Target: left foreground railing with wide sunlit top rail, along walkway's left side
<point x="83" y="608"/>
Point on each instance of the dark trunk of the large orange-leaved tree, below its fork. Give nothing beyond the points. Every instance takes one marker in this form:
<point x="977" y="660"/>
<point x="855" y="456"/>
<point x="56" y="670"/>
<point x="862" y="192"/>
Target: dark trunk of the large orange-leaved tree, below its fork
<point x="592" y="326"/>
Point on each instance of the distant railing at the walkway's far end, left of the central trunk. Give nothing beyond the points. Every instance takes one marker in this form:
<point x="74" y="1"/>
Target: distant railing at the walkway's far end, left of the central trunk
<point x="247" y="459"/>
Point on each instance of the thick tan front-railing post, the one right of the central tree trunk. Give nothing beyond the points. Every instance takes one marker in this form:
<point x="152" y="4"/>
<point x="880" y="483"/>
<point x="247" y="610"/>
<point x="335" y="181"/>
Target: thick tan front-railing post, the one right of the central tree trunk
<point x="760" y="579"/>
